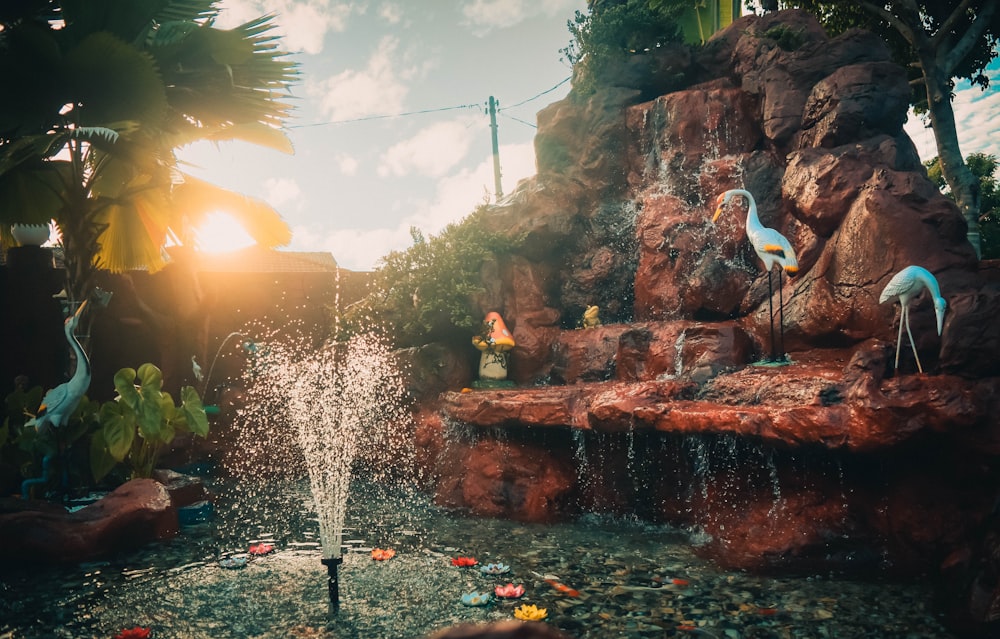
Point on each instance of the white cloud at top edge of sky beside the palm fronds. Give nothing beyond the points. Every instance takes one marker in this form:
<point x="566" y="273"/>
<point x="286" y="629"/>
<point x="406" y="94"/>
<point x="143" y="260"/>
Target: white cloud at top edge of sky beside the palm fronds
<point x="302" y="24"/>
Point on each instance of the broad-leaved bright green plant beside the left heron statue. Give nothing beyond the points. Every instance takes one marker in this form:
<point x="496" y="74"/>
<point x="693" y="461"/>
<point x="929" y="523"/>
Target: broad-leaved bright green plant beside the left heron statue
<point x="142" y="421"/>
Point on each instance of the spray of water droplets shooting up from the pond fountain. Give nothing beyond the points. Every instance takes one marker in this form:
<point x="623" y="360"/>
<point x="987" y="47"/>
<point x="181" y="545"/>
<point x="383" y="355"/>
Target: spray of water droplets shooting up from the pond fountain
<point x="326" y="409"/>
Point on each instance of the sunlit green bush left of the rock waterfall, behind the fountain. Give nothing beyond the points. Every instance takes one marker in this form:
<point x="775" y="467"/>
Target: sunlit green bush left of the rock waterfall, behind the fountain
<point x="428" y="291"/>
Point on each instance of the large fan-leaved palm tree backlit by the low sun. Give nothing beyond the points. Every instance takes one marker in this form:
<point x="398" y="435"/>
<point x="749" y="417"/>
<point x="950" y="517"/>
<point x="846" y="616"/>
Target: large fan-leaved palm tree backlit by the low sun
<point x="99" y="94"/>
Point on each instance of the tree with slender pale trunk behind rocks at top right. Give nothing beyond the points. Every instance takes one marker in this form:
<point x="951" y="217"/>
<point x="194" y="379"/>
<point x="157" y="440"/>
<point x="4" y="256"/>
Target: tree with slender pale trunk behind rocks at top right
<point x="938" y="41"/>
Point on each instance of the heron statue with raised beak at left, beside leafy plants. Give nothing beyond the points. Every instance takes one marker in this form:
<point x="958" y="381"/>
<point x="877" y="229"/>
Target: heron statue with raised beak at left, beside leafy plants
<point x="60" y="402"/>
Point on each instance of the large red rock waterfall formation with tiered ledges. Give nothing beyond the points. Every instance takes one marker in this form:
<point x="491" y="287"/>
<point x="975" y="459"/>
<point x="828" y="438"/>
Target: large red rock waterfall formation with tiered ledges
<point x="834" y="461"/>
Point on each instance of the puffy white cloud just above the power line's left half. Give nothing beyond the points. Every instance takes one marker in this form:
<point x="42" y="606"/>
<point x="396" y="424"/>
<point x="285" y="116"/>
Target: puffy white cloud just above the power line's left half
<point x="375" y="90"/>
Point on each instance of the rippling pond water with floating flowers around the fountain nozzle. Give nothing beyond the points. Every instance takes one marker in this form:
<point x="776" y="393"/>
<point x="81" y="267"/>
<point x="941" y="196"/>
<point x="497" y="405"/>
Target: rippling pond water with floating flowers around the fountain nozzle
<point x="634" y="580"/>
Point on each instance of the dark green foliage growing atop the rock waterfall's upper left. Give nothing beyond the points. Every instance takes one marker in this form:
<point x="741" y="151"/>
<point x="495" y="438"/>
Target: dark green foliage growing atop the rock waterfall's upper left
<point x="613" y="31"/>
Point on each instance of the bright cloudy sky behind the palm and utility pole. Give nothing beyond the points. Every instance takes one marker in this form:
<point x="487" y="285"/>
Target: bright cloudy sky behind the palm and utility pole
<point x="390" y="126"/>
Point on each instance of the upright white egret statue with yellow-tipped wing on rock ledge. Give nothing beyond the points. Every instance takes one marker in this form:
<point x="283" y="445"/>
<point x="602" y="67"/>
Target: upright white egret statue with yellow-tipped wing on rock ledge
<point x="772" y="248"/>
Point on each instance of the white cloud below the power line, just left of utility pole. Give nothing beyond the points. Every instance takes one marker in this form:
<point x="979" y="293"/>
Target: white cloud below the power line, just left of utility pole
<point x="433" y="151"/>
